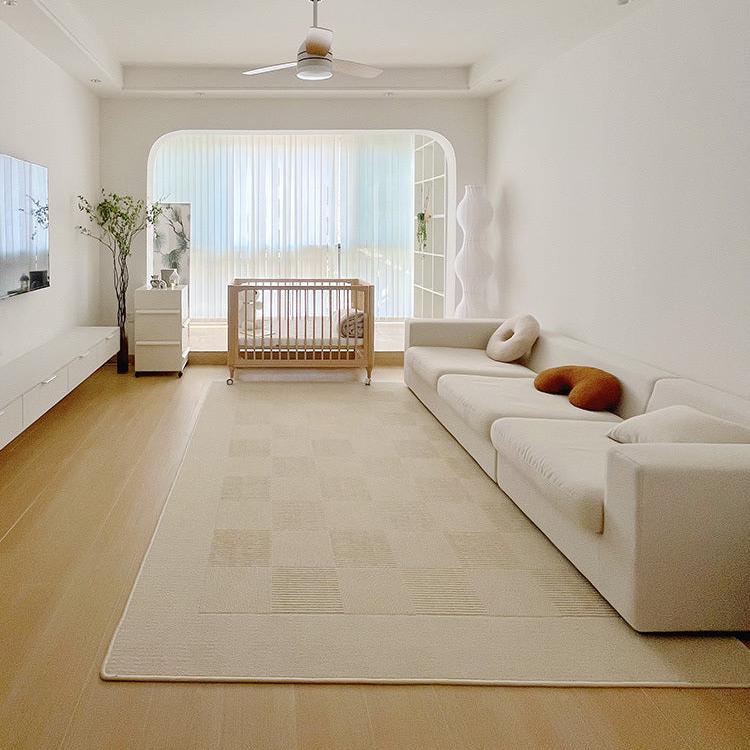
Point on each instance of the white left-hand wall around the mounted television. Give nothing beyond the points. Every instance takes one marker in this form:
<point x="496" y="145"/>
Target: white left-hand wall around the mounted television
<point x="49" y="118"/>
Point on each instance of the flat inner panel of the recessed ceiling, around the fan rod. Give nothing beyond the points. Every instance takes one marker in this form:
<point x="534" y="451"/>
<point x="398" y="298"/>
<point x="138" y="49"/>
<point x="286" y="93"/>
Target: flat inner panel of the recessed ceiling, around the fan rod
<point x="382" y="32"/>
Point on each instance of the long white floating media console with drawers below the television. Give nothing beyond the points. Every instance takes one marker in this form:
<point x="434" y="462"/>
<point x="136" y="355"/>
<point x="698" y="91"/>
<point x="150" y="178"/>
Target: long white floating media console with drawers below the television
<point x="36" y="381"/>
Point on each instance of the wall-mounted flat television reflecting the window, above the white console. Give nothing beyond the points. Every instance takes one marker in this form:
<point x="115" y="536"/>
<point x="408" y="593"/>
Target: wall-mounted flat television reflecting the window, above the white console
<point x="24" y="227"/>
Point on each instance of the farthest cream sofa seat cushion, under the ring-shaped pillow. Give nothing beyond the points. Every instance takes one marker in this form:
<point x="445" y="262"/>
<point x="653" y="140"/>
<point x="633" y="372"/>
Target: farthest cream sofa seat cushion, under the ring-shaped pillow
<point x="430" y="363"/>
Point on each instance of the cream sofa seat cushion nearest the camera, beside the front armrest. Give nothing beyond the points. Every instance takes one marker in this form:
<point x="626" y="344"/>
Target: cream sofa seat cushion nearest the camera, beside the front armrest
<point x="565" y="460"/>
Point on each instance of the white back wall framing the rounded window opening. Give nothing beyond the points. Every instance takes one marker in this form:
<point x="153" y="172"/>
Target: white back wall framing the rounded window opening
<point x="131" y="126"/>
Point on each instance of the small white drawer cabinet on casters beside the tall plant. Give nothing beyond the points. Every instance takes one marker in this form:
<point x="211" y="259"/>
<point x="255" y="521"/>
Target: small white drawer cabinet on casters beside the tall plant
<point x="161" y="329"/>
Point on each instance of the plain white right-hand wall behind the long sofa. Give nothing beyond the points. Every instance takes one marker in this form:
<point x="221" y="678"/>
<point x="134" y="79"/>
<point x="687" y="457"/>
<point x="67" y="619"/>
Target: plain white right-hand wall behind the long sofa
<point x="620" y="174"/>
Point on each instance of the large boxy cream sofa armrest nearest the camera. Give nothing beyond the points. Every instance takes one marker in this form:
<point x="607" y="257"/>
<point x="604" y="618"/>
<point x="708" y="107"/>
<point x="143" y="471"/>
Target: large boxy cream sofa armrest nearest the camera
<point x="680" y="513"/>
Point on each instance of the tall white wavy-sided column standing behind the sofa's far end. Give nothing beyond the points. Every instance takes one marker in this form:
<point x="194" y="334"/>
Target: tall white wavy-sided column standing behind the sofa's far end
<point x="473" y="263"/>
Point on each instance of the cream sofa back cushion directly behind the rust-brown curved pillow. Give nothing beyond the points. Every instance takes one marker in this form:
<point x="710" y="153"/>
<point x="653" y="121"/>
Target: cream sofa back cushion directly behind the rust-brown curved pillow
<point x="637" y="378"/>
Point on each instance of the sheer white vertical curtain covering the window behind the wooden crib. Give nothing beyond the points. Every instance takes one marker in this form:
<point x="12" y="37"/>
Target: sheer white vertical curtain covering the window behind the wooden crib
<point x="293" y="205"/>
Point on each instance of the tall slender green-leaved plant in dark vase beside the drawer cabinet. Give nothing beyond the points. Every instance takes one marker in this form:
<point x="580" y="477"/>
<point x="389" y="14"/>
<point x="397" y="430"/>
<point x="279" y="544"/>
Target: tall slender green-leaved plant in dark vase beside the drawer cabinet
<point x="119" y="219"/>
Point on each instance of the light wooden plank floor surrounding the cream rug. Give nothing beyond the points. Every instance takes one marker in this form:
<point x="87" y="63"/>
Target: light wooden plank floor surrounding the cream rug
<point x="80" y="493"/>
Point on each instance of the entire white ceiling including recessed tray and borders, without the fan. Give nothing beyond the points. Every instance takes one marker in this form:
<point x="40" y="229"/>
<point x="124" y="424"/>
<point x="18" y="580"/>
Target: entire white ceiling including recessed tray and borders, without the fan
<point x="427" y="47"/>
